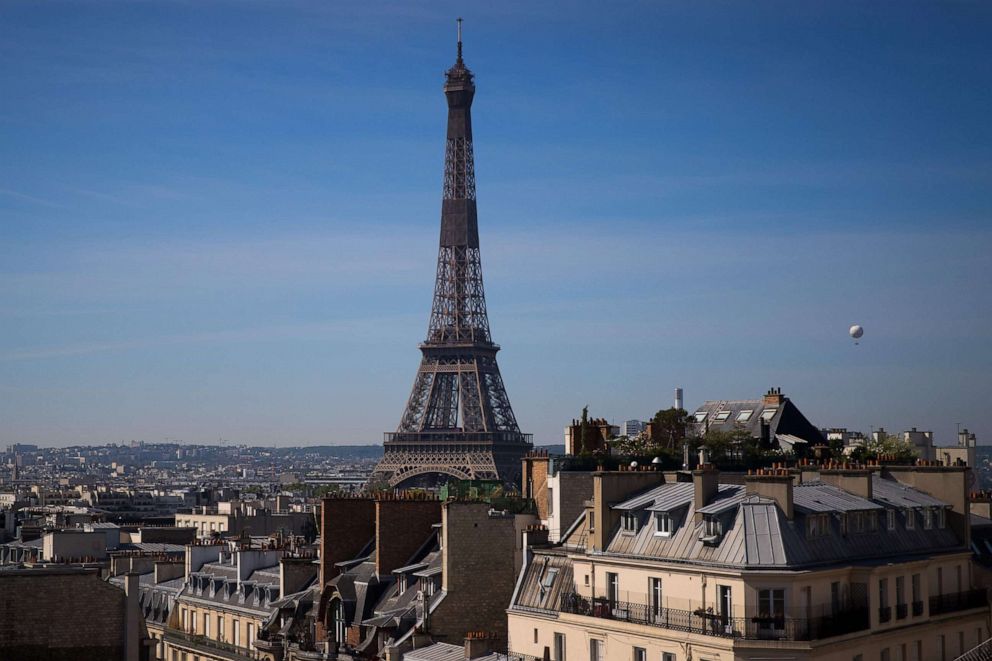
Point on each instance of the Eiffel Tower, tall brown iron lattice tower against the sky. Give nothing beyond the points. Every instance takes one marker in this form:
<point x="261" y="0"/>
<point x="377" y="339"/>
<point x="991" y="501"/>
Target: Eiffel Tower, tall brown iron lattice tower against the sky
<point x="458" y="422"/>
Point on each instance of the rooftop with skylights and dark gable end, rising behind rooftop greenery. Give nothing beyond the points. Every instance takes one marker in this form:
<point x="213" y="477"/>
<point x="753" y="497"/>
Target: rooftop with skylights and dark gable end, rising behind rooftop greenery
<point x="774" y="420"/>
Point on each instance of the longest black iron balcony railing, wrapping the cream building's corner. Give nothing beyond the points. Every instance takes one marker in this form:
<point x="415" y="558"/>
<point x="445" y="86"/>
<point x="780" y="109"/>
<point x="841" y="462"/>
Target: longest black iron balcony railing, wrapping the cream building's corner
<point x="756" y="626"/>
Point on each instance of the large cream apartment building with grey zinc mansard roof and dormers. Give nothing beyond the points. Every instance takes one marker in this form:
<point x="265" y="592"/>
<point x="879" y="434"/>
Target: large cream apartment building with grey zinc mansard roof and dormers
<point x="832" y="563"/>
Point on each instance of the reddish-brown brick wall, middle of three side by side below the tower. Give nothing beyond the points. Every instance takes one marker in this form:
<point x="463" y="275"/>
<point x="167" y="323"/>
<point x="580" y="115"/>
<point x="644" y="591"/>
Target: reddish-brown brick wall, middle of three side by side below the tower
<point x="402" y="527"/>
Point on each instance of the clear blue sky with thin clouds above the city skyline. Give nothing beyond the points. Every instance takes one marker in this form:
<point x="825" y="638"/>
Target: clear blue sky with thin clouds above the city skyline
<point x="219" y="219"/>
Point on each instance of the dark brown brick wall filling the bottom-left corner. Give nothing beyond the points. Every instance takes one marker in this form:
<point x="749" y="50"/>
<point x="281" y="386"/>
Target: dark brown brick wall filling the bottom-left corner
<point x="49" y="616"/>
